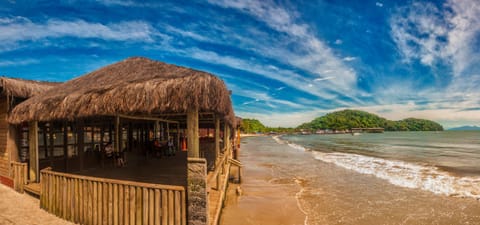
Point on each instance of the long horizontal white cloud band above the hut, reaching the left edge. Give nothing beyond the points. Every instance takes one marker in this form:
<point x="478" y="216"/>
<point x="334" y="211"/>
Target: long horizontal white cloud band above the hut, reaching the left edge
<point x="18" y="29"/>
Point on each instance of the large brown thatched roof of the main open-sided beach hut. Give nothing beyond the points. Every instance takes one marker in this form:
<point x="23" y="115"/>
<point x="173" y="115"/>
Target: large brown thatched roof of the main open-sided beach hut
<point x="135" y="86"/>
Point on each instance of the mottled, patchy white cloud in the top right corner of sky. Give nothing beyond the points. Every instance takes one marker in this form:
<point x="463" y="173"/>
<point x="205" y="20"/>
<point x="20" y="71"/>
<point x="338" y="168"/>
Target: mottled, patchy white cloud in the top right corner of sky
<point x="430" y="34"/>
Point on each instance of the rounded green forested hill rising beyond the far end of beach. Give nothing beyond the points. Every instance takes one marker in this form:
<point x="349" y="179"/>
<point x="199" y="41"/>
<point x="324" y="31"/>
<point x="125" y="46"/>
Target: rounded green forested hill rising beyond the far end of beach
<point x="347" y="119"/>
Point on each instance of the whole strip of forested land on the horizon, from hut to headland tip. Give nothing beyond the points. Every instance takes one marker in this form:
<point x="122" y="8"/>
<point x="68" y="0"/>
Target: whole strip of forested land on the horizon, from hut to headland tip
<point x="346" y="120"/>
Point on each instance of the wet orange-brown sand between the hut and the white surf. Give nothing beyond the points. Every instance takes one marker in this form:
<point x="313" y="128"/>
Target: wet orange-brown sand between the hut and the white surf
<point x="276" y="175"/>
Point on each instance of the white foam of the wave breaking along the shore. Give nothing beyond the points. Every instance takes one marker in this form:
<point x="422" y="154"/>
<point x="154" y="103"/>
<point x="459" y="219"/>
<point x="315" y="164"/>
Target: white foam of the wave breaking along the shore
<point x="406" y="174"/>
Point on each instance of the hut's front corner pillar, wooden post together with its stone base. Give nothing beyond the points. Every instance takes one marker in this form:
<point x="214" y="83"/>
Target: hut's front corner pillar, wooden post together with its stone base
<point x="196" y="174"/>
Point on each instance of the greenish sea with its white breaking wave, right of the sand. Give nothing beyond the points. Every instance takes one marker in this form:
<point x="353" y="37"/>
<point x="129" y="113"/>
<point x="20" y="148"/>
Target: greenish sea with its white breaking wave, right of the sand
<point x="445" y="162"/>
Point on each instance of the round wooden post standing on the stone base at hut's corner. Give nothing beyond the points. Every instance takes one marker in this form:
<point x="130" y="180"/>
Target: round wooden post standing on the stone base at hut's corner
<point x="193" y="144"/>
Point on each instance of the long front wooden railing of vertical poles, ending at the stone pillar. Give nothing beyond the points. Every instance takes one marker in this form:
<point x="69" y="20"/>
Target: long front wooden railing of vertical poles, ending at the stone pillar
<point x="90" y="200"/>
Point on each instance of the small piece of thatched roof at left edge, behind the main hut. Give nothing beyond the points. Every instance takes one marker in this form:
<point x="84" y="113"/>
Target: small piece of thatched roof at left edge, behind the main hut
<point x="23" y="88"/>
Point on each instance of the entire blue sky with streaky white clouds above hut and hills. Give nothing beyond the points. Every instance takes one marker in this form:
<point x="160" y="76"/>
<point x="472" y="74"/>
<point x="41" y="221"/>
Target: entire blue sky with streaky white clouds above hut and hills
<point x="286" y="62"/>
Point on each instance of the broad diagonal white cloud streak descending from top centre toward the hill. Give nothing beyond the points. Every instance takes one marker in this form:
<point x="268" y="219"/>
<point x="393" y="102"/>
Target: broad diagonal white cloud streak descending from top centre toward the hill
<point x="310" y="54"/>
